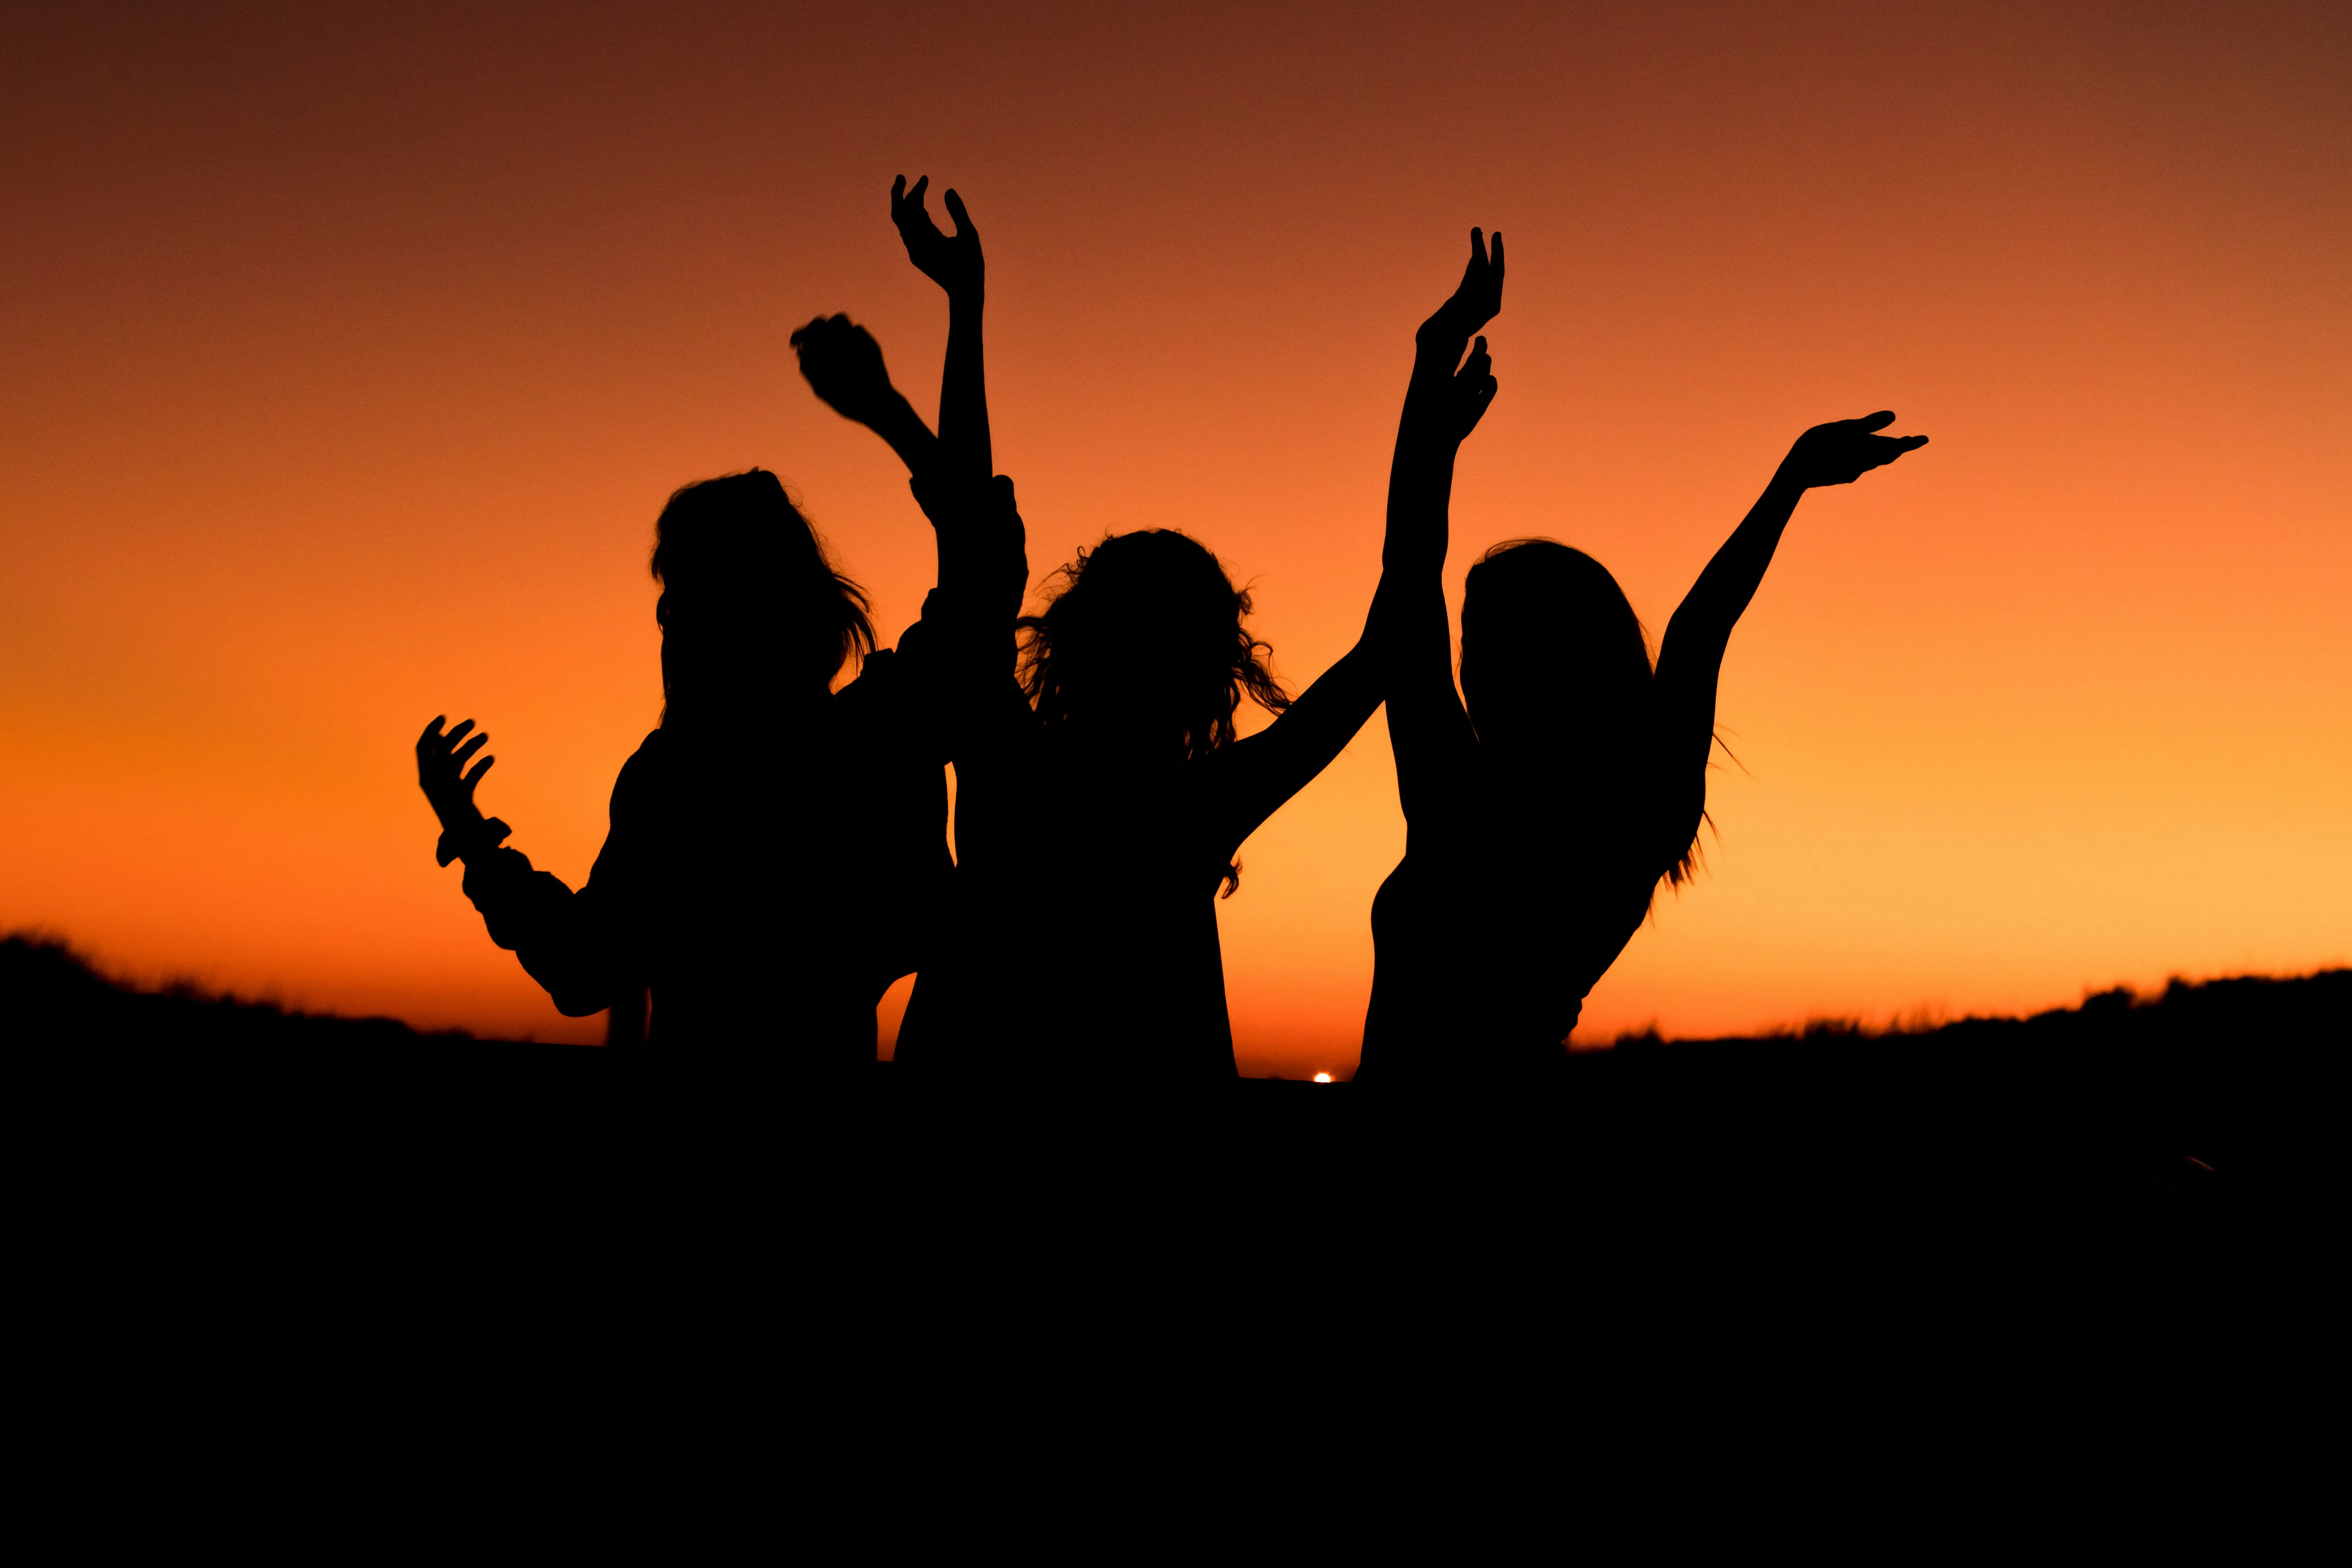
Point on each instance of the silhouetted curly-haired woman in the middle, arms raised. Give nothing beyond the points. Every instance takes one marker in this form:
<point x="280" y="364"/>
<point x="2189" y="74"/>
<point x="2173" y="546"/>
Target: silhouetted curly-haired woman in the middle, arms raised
<point x="1104" y="786"/>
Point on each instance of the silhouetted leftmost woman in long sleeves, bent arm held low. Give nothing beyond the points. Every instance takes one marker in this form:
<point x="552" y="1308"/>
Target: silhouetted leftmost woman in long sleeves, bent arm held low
<point x="775" y="845"/>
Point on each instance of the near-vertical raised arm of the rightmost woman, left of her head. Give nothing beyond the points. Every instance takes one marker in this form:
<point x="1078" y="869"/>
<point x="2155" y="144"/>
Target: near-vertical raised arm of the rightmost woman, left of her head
<point x="1426" y="721"/>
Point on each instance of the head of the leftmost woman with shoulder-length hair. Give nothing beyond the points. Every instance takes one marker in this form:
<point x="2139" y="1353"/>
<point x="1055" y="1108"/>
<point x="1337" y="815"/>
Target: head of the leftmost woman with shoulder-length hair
<point x="751" y="608"/>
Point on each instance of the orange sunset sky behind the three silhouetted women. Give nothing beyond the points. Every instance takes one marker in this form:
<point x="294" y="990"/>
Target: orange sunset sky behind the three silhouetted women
<point x="347" y="356"/>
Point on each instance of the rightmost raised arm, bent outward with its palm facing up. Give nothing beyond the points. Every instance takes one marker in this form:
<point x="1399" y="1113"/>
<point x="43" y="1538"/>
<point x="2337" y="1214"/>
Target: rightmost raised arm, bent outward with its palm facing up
<point x="1692" y="657"/>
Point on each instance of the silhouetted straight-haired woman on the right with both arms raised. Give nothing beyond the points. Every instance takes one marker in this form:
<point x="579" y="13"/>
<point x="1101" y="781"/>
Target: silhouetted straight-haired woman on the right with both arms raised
<point x="1551" y="796"/>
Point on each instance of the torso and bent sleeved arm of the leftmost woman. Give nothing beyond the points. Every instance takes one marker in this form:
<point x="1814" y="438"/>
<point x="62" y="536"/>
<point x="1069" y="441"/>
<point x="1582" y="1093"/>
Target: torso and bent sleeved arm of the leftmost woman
<point x="766" y="880"/>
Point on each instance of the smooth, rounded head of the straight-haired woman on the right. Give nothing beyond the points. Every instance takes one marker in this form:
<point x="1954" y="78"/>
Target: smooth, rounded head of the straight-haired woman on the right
<point x="1556" y="664"/>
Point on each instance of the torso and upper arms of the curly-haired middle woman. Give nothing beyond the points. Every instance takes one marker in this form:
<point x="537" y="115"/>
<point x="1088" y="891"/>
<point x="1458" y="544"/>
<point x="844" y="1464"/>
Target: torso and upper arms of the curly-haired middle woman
<point x="1081" y="932"/>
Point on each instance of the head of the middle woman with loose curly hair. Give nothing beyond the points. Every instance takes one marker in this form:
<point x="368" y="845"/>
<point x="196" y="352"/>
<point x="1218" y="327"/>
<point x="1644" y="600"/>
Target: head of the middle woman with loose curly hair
<point x="1144" y="650"/>
